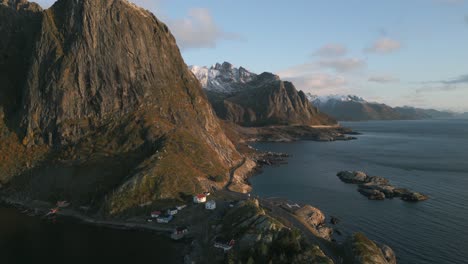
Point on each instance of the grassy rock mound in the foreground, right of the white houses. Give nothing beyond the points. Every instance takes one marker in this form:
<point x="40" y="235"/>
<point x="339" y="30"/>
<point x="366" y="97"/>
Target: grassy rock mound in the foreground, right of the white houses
<point x="262" y="239"/>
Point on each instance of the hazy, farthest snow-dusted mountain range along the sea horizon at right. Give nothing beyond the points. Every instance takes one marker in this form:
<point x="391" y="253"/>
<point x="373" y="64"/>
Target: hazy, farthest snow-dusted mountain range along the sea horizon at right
<point x="354" y="108"/>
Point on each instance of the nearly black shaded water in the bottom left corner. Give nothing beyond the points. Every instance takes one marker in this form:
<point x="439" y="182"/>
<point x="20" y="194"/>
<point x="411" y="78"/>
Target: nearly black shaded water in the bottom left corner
<point x="30" y="240"/>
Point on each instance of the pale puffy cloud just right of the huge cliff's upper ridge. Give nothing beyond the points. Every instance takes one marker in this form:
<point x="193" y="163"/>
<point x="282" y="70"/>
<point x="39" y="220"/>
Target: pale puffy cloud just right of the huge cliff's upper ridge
<point x="199" y="30"/>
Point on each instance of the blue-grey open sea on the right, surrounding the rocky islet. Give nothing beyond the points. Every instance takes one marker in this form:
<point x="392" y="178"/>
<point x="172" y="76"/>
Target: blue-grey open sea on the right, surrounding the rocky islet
<point x="428" y="156"/>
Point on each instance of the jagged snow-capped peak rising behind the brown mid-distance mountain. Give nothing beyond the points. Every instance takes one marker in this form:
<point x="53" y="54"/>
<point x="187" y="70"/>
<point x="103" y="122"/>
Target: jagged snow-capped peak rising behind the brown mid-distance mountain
<point x="223" y="78"/>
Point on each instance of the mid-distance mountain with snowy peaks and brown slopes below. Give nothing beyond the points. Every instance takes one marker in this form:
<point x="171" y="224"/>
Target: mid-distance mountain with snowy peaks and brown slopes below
<point x="250" y="99"/>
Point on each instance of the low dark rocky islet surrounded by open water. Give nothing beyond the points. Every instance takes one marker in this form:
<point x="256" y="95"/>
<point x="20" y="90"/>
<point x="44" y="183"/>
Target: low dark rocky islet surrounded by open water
<point x="379" y="188"/>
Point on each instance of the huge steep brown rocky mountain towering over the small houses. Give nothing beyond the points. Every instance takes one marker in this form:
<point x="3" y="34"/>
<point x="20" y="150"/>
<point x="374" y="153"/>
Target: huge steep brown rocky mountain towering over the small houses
<point x="99" y="108"/>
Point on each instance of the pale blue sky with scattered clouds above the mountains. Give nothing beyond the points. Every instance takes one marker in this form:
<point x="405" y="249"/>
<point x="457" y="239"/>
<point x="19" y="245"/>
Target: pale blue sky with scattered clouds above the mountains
<point x="398" y="52"/>
